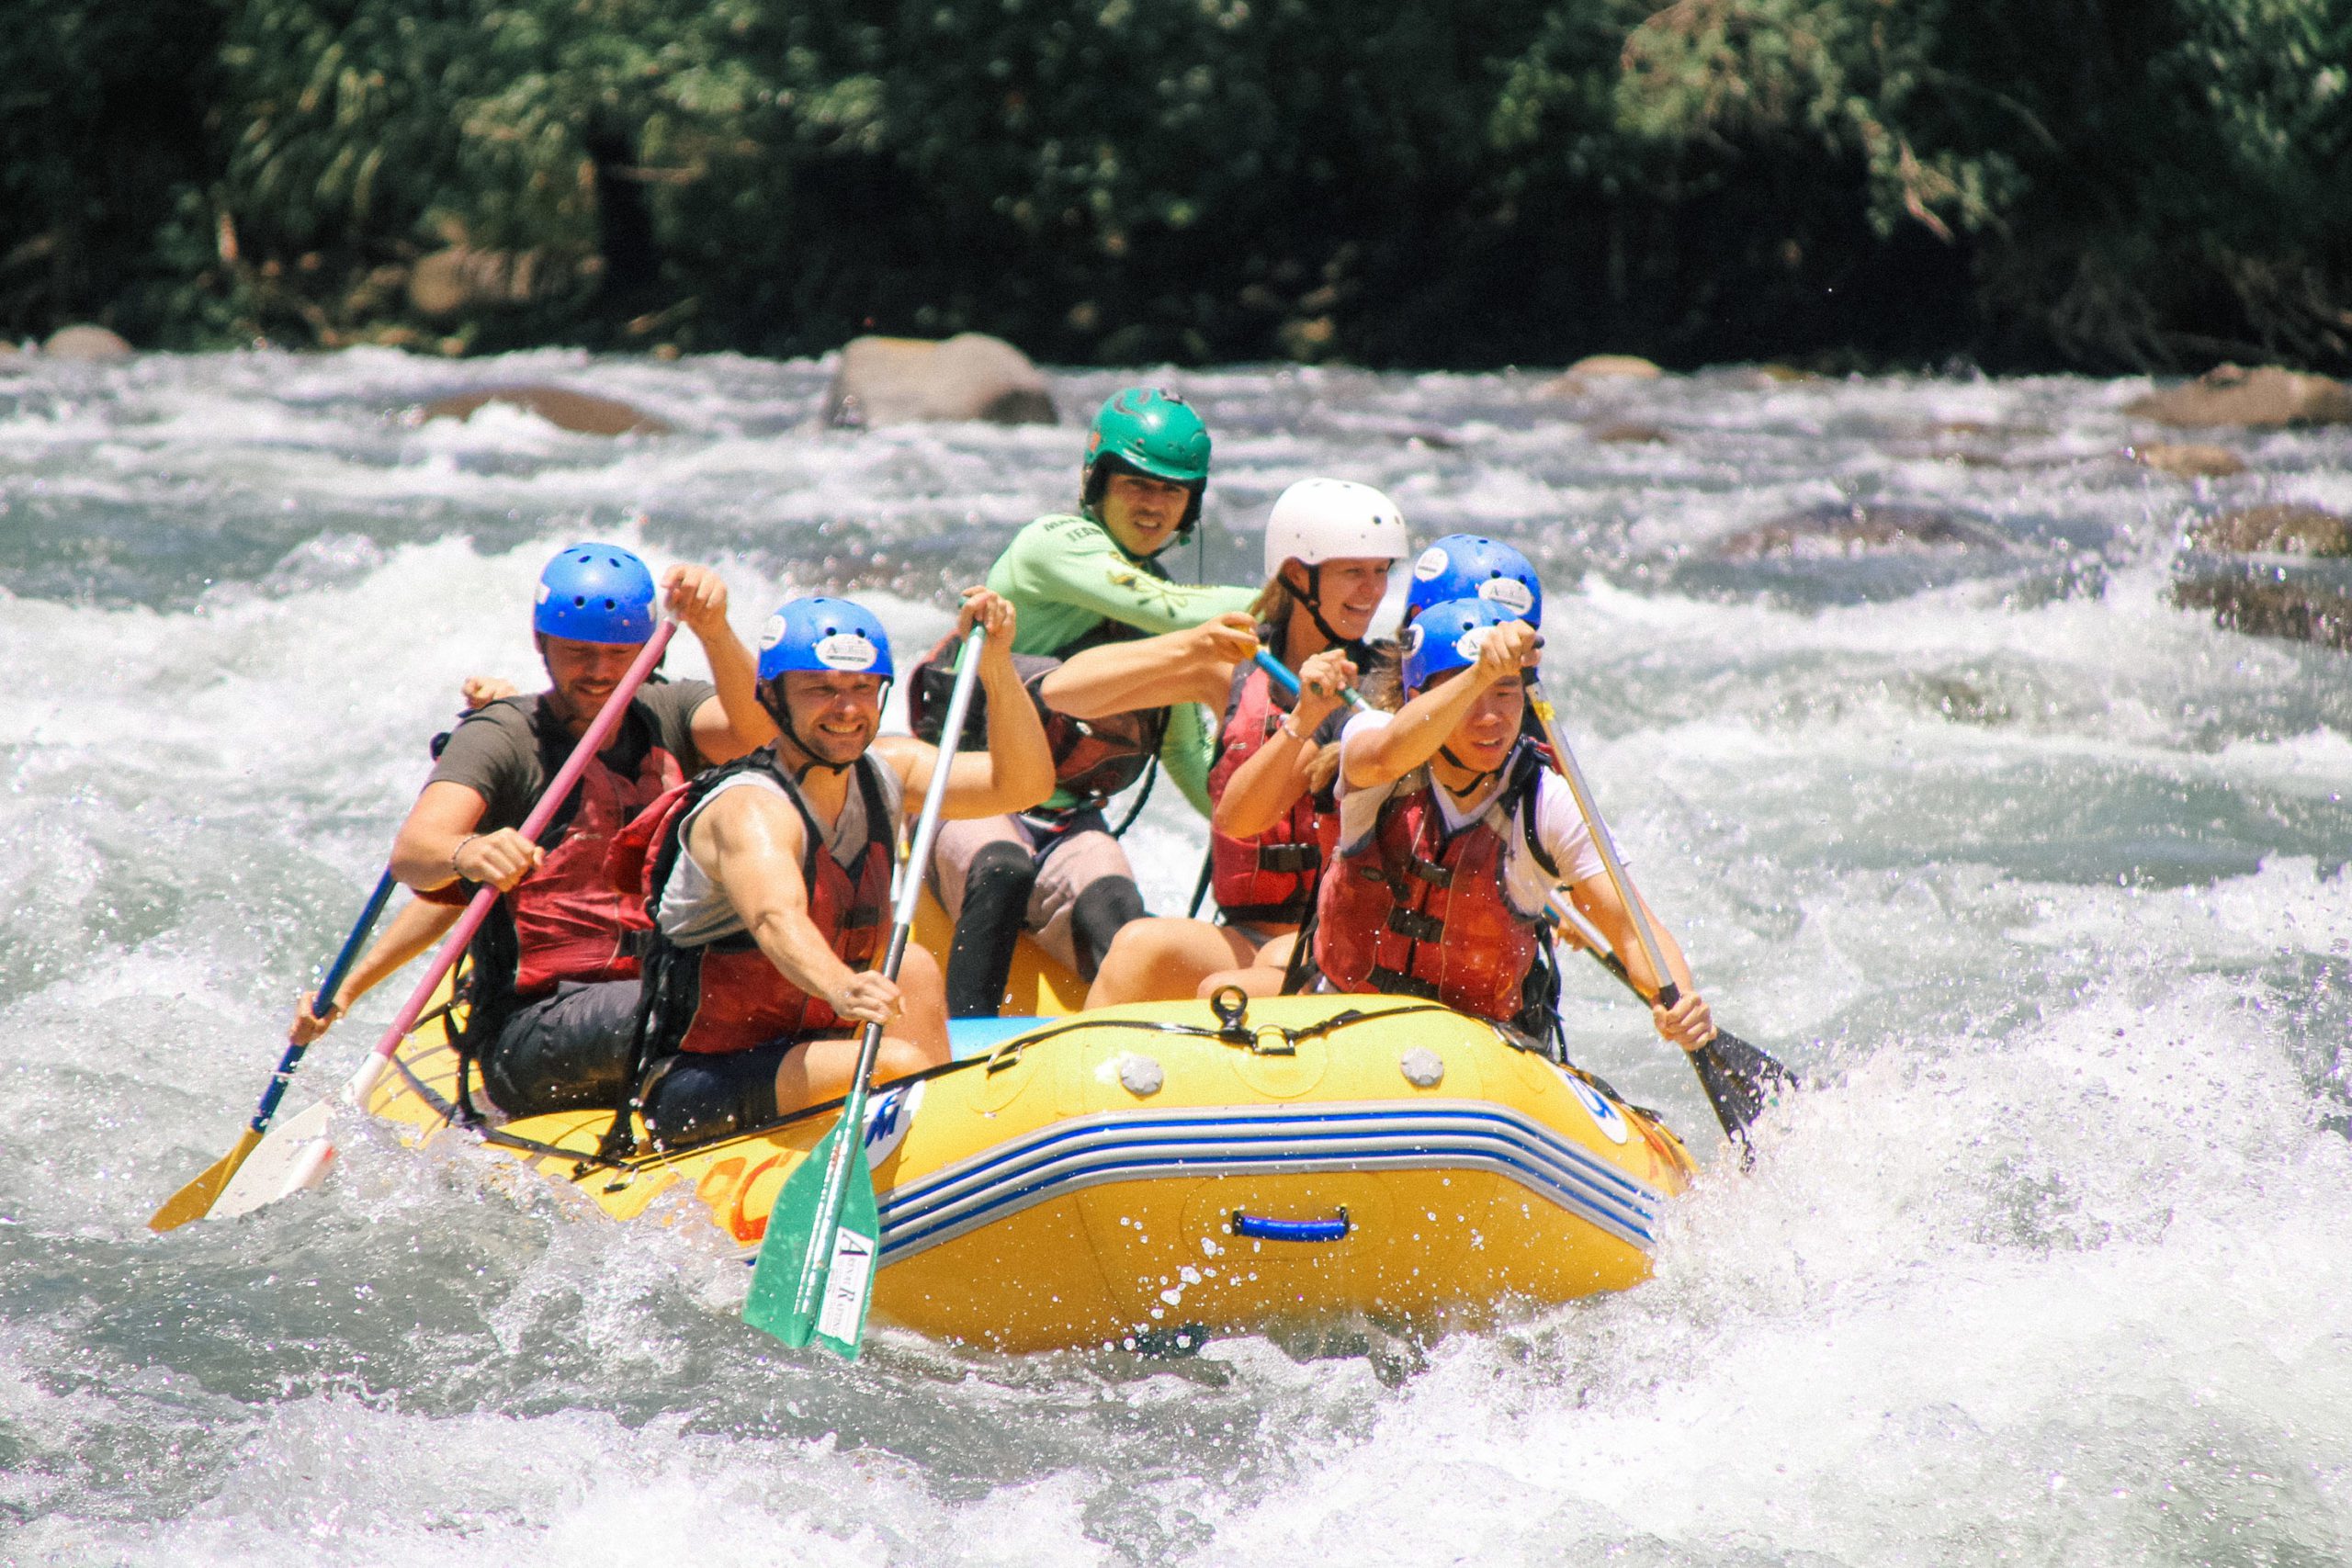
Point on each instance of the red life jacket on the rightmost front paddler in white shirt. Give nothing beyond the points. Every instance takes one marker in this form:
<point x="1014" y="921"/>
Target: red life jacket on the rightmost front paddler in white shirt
<point x="1422" y="916"/>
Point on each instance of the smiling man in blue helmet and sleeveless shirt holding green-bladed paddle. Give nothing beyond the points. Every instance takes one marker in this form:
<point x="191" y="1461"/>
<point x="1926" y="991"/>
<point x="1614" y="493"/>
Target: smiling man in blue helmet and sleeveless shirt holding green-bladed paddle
<point x="770" y="880"/>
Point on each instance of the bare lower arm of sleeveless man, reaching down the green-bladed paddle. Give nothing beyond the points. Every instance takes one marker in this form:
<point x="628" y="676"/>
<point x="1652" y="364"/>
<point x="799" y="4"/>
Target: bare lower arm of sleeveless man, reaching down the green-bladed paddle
<point x="751" y="843"/>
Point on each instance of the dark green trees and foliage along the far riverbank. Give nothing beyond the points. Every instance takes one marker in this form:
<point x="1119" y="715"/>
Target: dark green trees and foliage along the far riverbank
<point x="2109" y="185"/>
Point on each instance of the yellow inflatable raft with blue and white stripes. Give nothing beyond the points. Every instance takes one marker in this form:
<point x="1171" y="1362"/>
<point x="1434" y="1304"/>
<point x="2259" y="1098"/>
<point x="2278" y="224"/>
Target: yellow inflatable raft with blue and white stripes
<point x="1161" y="1174"/>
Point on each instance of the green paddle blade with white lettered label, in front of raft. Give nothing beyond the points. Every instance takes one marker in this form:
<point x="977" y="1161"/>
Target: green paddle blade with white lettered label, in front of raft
<point x="801" y="1292"/>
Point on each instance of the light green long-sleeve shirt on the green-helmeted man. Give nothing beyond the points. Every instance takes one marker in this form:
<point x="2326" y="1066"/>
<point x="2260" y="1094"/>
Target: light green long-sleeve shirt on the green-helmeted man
<point x="1067" y="577"/>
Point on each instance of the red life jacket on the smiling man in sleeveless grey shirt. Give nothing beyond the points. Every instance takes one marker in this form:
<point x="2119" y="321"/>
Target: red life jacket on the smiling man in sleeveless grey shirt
<point x="726" y="996"/>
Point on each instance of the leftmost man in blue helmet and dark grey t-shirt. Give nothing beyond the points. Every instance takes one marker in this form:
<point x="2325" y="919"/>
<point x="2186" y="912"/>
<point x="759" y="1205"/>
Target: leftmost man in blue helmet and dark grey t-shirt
<point x="554" y="974"/>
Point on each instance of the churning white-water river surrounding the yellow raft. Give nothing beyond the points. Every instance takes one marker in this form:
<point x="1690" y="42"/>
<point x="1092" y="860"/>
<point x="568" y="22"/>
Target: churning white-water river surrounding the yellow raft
<point x="2033" y="876"/>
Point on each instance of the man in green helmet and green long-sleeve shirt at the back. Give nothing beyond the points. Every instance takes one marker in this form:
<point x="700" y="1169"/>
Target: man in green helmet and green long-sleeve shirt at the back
<point x="1078" y="582"/>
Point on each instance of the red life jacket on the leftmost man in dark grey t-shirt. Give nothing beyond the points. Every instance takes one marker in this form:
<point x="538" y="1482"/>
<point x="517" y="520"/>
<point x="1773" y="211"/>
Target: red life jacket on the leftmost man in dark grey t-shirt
<point x="566" y="923"/>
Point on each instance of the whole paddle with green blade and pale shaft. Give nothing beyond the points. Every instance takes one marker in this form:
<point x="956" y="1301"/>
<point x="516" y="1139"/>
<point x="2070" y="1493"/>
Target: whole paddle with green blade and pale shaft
<point x="824" y="1233"/>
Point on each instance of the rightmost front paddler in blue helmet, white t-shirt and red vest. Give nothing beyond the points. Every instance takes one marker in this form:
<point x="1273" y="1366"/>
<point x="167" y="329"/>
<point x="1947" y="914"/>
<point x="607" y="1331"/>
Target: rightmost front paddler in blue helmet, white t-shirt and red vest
<point x="1455" y="836"/>
